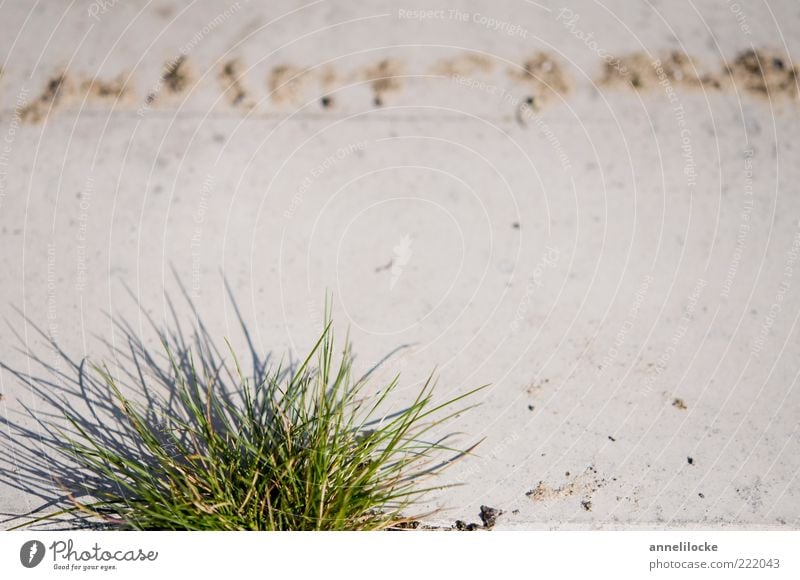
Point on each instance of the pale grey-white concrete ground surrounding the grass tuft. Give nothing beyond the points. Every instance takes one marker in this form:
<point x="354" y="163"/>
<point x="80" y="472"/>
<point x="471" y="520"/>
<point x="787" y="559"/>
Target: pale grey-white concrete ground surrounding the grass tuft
<point x="655" y="256"/>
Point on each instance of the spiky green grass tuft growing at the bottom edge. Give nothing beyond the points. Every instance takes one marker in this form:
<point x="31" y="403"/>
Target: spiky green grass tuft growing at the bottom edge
<point x="299" y="449"/>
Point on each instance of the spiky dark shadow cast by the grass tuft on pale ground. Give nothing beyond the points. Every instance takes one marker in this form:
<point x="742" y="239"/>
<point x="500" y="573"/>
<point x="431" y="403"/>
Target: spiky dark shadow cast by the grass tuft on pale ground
<point x="35" y="451"/>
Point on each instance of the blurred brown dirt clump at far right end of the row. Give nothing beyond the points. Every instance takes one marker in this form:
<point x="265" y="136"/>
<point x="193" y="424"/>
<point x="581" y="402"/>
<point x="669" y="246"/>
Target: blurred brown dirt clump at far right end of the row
<point x="764" y="74"/>
